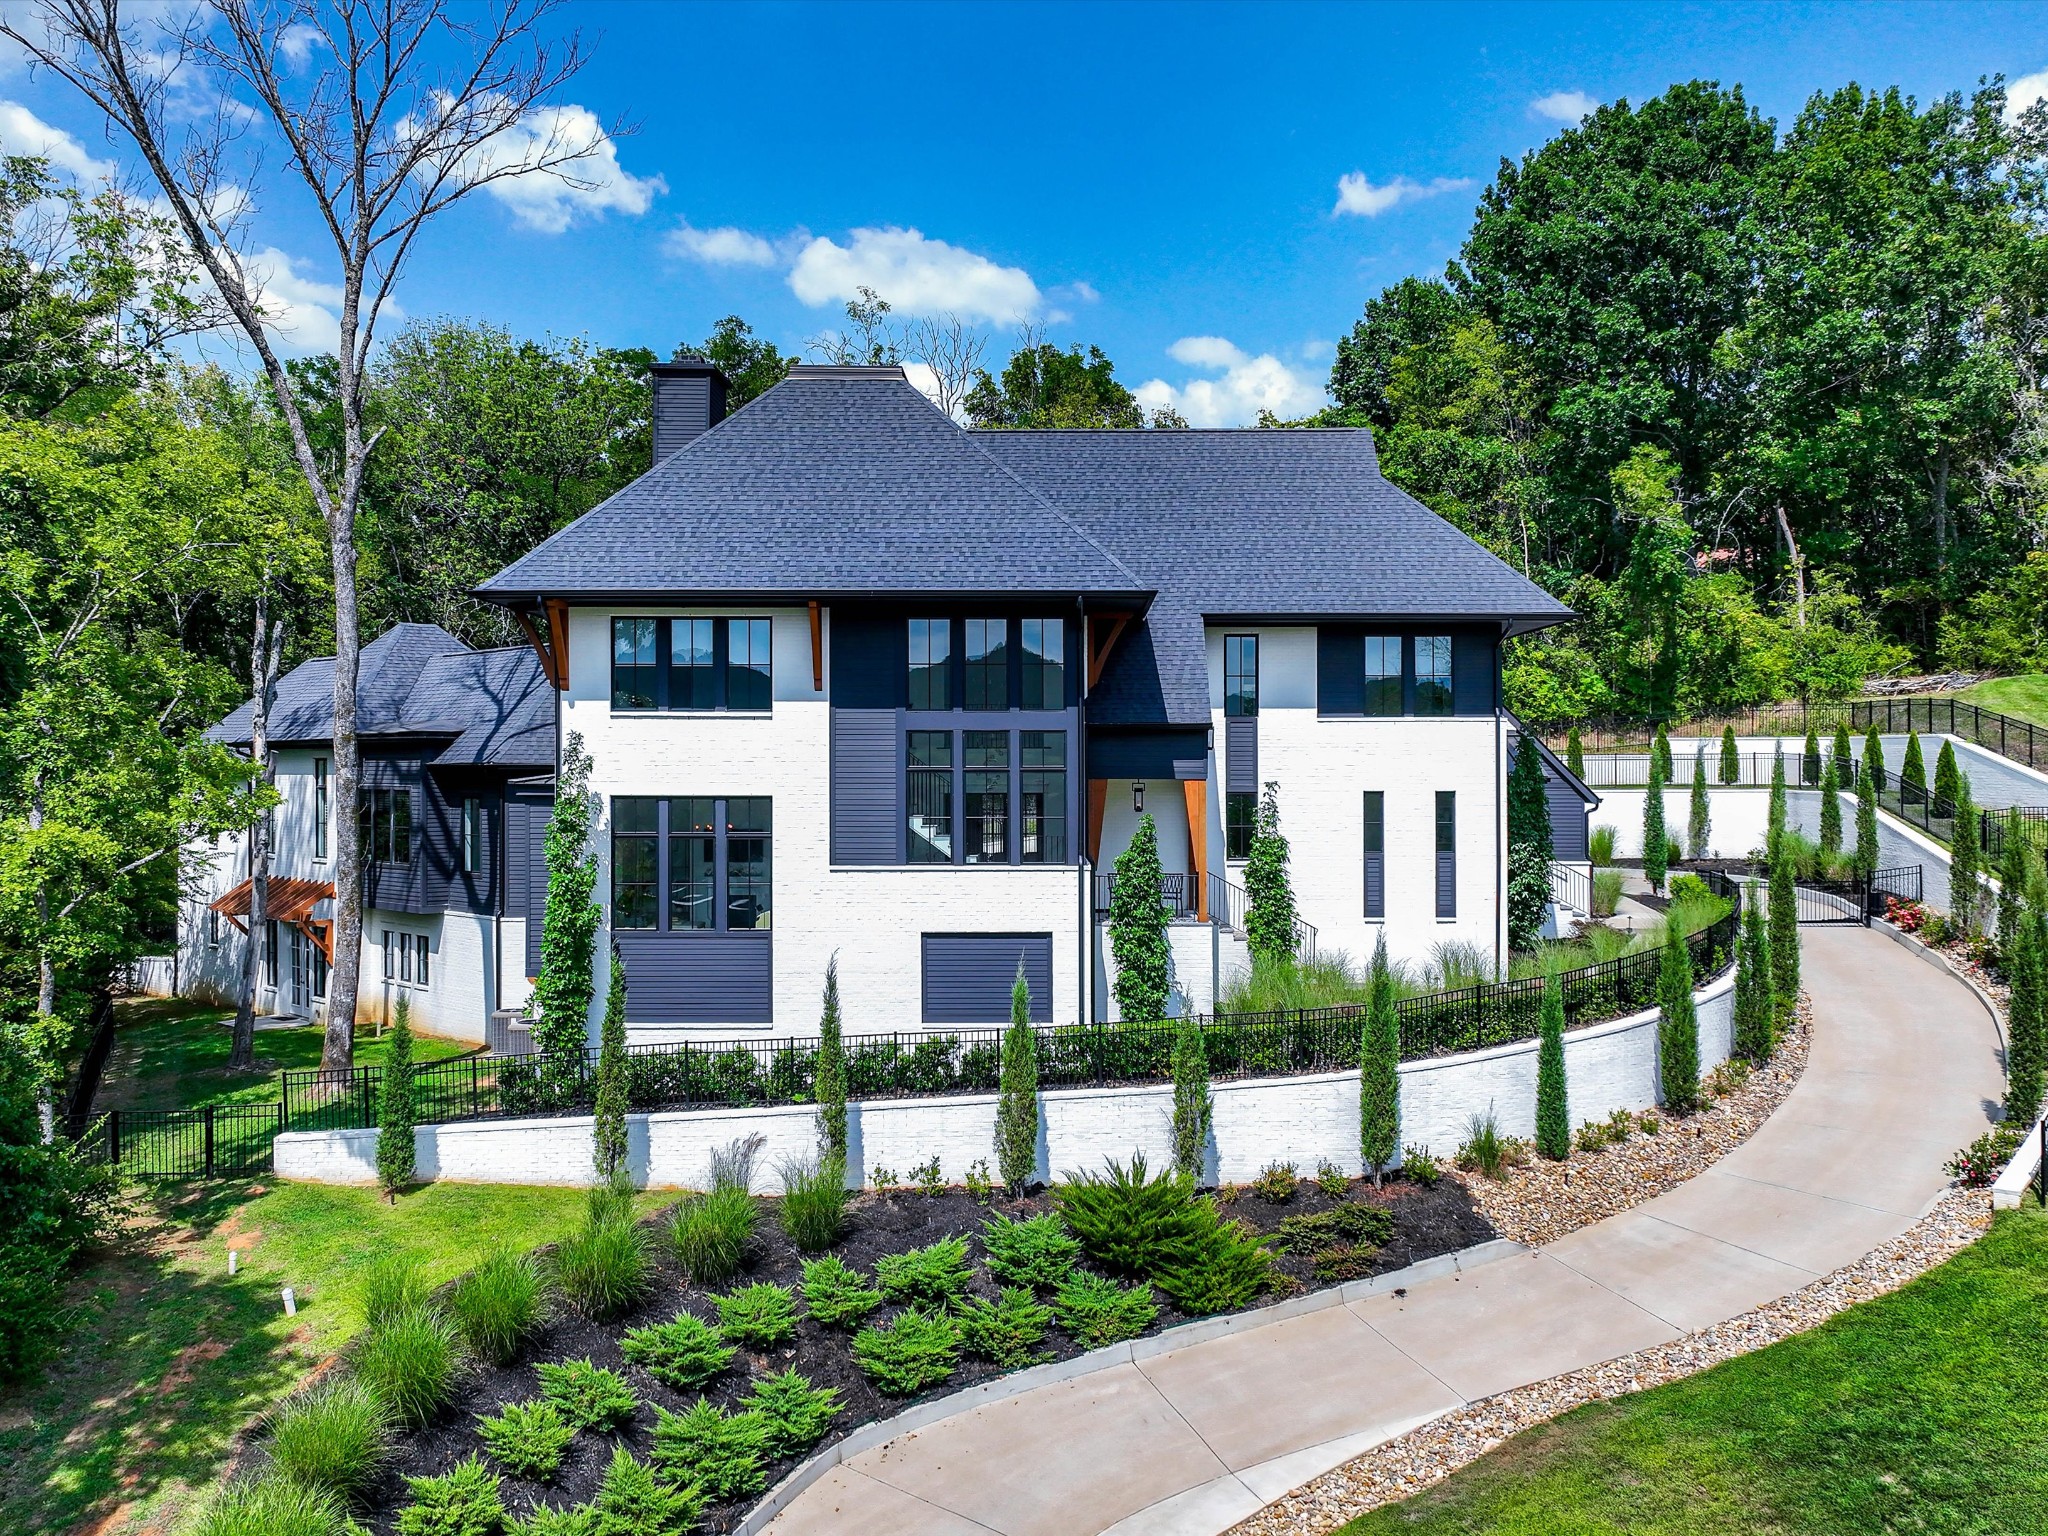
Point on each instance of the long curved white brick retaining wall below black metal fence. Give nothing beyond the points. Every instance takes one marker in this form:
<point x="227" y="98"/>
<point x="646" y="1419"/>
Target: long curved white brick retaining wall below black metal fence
<point x="1256" y="1121"/>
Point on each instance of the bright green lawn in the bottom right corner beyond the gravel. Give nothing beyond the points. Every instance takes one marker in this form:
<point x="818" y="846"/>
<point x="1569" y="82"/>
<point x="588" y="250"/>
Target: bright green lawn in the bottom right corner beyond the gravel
<point x="1920" y="1412"/>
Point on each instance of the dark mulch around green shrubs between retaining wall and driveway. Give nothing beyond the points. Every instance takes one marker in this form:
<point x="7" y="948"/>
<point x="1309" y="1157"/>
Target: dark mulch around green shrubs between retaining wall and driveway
<point x="1428" y="1222"/>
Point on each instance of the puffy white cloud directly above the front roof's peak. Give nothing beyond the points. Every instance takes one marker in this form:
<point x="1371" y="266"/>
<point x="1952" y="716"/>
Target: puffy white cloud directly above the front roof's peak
<point x="916" y="275"/>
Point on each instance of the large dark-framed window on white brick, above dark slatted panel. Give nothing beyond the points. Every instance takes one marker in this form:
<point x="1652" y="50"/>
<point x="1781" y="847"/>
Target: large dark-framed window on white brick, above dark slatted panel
<point x="691" y="863"/>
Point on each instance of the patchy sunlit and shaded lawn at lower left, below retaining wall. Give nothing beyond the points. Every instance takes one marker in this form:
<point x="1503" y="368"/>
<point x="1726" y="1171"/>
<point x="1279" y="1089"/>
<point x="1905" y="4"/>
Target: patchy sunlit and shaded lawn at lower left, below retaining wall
<point x="169" y="1355"/>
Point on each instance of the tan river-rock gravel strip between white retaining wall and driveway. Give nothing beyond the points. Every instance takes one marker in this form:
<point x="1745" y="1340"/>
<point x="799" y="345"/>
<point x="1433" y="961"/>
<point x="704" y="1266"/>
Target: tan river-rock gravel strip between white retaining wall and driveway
<point x="1545" y="1201"/>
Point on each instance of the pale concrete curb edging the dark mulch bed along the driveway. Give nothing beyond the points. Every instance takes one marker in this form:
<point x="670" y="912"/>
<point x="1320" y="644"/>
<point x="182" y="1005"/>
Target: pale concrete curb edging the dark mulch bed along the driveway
<point x="1117" y="1355"/>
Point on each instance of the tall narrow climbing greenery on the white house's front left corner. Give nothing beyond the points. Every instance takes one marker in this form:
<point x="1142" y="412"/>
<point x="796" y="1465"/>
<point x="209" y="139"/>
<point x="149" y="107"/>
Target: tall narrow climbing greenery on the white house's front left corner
<point x="568" y="929"/>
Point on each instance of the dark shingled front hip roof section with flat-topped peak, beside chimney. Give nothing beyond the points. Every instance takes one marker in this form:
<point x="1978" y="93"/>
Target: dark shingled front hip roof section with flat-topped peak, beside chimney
<point x="837" y="482"/>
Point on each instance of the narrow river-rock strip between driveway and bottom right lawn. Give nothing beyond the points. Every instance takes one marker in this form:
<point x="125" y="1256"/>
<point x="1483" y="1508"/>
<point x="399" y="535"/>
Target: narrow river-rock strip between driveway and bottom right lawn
<point x="1439" y="1449"/>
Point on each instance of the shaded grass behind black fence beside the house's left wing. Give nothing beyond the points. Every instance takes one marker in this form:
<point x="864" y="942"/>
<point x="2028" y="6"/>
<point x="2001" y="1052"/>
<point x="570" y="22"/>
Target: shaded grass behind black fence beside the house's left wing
<point x="173" y="1056"/>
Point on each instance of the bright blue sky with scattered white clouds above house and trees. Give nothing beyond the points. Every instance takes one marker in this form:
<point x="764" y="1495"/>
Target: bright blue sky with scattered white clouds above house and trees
<point x="1209" y="194"/>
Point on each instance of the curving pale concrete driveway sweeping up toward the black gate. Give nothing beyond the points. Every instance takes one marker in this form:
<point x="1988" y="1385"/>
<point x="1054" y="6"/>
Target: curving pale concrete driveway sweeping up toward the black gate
<point x="1904" y="1068"/>
